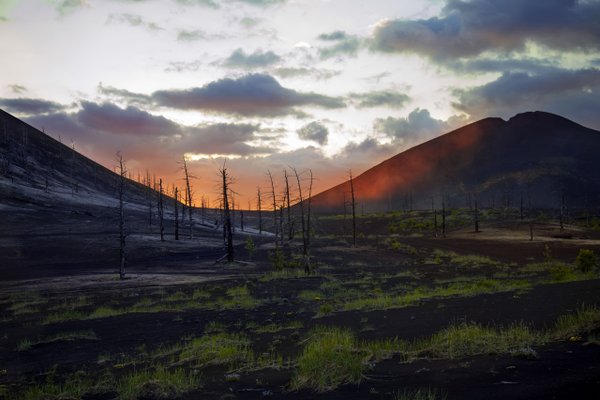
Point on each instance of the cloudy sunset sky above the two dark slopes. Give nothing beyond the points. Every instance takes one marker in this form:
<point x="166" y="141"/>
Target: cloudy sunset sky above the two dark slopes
<point x="268" y="85"/>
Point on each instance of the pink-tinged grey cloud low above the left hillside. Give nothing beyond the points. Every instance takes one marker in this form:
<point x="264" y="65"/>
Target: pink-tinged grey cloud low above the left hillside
<point x="106" y="128"/>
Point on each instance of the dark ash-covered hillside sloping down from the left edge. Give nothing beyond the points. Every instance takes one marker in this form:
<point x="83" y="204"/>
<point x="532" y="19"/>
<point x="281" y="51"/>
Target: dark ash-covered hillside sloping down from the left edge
<point x="37" y="170"/>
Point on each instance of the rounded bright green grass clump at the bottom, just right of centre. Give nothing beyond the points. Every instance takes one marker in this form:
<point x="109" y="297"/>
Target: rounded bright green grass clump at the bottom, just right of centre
<point x="329" y="359"/>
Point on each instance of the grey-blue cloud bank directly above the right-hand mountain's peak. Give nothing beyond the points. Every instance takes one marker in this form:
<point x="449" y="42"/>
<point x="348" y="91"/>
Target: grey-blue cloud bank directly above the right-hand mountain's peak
<point x="571" y="93"/>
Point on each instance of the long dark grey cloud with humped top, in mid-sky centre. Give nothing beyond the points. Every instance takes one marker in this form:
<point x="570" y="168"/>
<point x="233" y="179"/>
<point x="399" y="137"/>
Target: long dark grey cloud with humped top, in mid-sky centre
<point x="250" y="95"/>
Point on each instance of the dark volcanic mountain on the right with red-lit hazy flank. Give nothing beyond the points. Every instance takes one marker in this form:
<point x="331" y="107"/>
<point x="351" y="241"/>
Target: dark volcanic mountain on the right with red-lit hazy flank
<point x="534" y="155"/>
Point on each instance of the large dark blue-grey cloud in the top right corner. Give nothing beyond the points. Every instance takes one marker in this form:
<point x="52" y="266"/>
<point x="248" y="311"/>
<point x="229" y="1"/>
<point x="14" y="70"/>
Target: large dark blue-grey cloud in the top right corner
<point x="468" y="28"/>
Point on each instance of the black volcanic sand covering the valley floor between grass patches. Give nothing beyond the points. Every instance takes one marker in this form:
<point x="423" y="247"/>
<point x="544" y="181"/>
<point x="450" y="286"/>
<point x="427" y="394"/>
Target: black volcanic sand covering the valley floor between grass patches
<point x="56" y="268"/>
